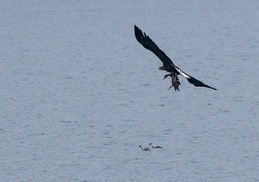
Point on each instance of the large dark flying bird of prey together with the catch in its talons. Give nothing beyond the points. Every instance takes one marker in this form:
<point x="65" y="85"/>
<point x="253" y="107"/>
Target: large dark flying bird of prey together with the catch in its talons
<point x="168" y="65"/>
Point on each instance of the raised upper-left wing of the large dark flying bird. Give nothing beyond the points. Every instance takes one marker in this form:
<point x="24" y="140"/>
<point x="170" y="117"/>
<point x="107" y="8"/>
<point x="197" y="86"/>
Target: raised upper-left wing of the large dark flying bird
<point x="144" y="39"/>
